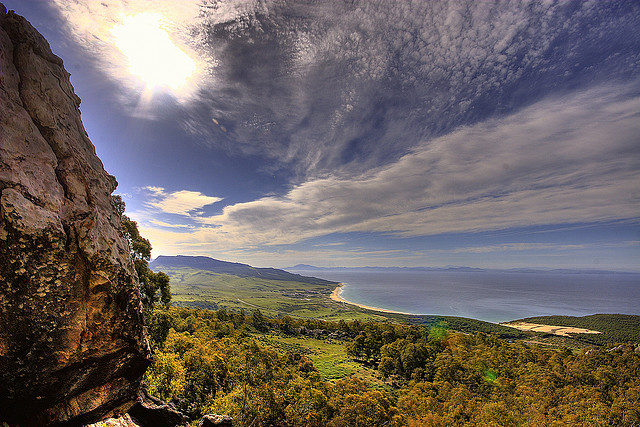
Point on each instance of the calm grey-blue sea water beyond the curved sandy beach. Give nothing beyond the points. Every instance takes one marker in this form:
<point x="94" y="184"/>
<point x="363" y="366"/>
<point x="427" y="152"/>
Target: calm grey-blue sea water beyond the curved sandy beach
<point x="490" y="296"/>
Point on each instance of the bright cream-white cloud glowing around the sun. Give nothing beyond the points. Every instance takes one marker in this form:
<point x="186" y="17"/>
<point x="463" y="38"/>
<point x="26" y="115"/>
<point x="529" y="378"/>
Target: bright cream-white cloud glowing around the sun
<point x="96" y="25"/>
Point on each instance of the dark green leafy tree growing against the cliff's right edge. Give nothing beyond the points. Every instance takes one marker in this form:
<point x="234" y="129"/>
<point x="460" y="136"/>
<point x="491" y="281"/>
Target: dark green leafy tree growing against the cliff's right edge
<point x="154" y="287"/>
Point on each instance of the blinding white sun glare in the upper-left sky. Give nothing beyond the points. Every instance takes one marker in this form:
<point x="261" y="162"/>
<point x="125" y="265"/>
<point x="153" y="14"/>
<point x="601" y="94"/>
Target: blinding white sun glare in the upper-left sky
<point x="152" y="55"/>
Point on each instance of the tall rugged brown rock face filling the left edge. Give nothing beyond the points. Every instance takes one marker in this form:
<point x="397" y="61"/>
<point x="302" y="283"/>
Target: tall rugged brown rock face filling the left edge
<point x="72" y="346"/>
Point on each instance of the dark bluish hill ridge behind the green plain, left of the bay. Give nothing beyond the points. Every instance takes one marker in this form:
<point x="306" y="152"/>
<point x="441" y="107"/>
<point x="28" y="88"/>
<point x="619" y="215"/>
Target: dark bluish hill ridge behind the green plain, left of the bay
<point x="234" y="268"/>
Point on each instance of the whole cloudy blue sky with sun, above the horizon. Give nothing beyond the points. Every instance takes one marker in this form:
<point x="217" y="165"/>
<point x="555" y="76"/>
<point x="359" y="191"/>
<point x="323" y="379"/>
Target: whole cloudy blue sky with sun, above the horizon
<point x="494" y="134"/>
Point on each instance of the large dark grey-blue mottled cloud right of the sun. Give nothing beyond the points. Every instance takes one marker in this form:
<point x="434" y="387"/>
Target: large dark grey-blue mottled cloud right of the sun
<point x="344" y="86"/>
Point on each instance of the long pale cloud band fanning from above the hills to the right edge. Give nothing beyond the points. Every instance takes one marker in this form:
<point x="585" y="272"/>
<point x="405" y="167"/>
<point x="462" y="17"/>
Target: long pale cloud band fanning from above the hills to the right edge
<point x="561" y="161"/>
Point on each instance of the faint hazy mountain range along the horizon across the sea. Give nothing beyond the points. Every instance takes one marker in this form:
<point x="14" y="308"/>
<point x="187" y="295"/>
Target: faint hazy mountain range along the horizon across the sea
<point x="308" y="268"/>
